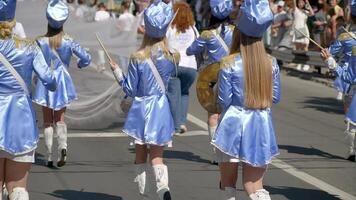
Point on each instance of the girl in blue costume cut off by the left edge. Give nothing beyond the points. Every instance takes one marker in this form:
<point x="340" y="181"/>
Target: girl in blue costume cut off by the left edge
<point x="19" y="58"/>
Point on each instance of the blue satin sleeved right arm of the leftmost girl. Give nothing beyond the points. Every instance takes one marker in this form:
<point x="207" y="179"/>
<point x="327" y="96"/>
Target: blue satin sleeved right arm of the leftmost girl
<point x="43" y="71"/>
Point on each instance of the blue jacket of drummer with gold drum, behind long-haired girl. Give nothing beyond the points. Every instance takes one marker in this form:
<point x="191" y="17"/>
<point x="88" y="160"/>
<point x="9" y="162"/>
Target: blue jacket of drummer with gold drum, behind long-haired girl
<point x="208" y="40"/>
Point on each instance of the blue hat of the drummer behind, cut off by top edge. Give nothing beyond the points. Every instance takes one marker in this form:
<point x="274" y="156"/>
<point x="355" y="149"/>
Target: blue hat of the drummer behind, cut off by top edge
<point x="221" y="8"/>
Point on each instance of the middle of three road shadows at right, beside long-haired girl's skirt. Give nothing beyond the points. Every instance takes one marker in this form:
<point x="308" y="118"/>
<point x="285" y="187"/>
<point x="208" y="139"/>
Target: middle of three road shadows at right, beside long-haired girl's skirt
<point x="309" y="151"/>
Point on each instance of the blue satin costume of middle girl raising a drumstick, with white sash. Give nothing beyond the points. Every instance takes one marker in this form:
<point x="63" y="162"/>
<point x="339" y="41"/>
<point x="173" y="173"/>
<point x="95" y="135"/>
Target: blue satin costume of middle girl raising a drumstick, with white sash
<point x="149" y="120"/>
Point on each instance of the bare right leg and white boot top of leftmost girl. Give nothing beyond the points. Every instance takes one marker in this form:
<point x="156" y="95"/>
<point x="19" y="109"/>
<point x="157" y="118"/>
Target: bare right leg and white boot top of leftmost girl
<point x="16" y="176"/>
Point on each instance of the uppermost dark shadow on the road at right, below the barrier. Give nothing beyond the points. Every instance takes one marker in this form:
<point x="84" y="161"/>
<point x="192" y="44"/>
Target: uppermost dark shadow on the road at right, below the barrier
<point x="328" y="105"/>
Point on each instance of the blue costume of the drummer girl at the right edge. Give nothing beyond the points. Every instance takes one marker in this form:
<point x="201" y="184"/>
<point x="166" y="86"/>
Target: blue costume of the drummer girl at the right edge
<point x="342" y="46"/>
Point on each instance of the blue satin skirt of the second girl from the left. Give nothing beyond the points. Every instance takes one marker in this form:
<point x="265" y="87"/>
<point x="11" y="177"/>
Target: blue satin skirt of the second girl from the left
<point x="64" y="94"/>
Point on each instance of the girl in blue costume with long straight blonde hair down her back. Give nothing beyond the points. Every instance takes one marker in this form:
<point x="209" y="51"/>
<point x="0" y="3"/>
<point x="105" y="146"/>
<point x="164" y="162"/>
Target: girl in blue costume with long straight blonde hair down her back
<point x="249" y="83"/>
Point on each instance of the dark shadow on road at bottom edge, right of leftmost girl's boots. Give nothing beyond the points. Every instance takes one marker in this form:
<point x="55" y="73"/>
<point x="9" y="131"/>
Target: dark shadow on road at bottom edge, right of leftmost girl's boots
<point x="75" y="195"/>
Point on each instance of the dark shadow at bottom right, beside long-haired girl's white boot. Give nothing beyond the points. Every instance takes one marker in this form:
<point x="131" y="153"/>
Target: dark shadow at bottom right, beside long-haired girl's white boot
<point x="294" y="193"/>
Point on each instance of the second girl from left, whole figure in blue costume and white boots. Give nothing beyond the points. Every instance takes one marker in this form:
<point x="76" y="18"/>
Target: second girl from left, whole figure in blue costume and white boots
<point x="58" y="49"/>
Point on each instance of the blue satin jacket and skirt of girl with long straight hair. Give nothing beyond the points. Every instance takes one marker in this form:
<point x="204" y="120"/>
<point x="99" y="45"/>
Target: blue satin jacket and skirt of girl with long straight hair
<point x="246" y="134"/>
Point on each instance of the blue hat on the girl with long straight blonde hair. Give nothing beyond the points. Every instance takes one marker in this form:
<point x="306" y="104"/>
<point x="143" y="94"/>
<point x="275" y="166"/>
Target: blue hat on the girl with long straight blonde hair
<point x="254" y="18"/>
